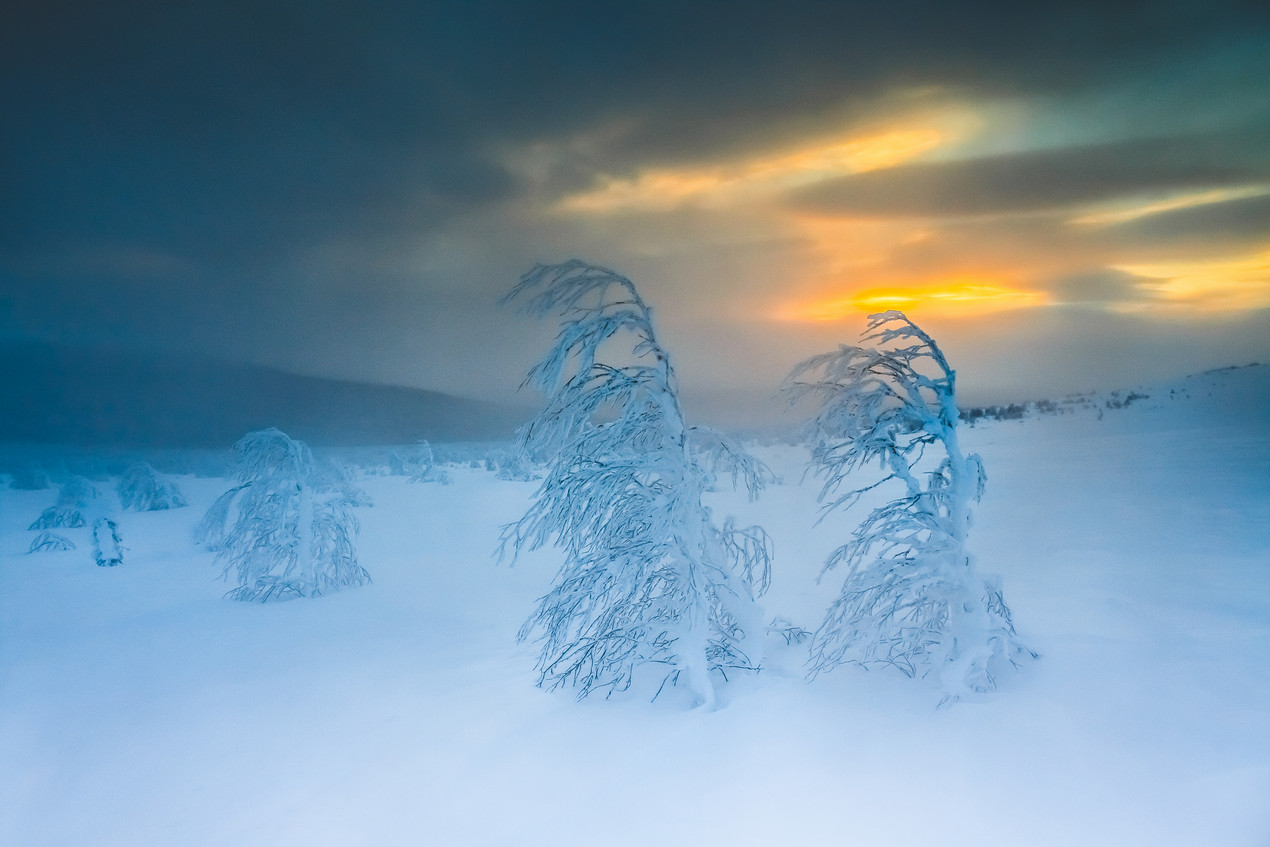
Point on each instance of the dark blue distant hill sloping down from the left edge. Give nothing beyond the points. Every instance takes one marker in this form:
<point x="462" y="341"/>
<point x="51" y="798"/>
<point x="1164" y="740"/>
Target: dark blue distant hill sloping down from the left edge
<point x="54" y="394"/>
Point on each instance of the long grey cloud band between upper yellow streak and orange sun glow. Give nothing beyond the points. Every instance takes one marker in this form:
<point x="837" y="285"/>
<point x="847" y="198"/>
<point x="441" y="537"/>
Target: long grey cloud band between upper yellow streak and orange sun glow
<point x="1041" y="181"/>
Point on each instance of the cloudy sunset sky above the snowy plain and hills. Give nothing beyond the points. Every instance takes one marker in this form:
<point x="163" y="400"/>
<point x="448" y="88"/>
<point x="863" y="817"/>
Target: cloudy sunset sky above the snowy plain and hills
<point x="1067" y="196"/>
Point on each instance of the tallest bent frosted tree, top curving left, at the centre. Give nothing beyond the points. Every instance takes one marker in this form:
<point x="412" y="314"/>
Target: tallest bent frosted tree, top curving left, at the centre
<point x="648" y="577"/>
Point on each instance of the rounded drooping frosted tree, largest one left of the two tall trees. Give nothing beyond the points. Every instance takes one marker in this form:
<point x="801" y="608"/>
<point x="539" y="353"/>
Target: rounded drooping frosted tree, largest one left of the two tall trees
<point x="284" y="531"/>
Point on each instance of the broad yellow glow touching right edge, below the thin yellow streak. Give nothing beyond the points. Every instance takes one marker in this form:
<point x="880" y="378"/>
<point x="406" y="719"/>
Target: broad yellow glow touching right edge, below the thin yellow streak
<point x="1207" y="286"/>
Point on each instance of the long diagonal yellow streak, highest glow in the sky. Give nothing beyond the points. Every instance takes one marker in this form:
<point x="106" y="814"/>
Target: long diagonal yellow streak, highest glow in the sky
<point x="811" y="162"/>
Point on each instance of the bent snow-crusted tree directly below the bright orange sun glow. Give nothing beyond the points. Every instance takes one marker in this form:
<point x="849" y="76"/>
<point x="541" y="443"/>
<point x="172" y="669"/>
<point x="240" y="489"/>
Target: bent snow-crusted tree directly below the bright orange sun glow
<point x="912" y="597"/>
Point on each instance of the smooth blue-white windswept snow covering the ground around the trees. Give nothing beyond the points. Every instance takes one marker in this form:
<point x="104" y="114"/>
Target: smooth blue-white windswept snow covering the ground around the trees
<point x="140" y="708"/>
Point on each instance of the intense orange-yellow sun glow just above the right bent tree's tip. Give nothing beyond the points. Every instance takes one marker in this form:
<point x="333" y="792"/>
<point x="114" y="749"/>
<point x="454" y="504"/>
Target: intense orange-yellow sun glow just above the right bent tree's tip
<point x="953" y="298"/>
